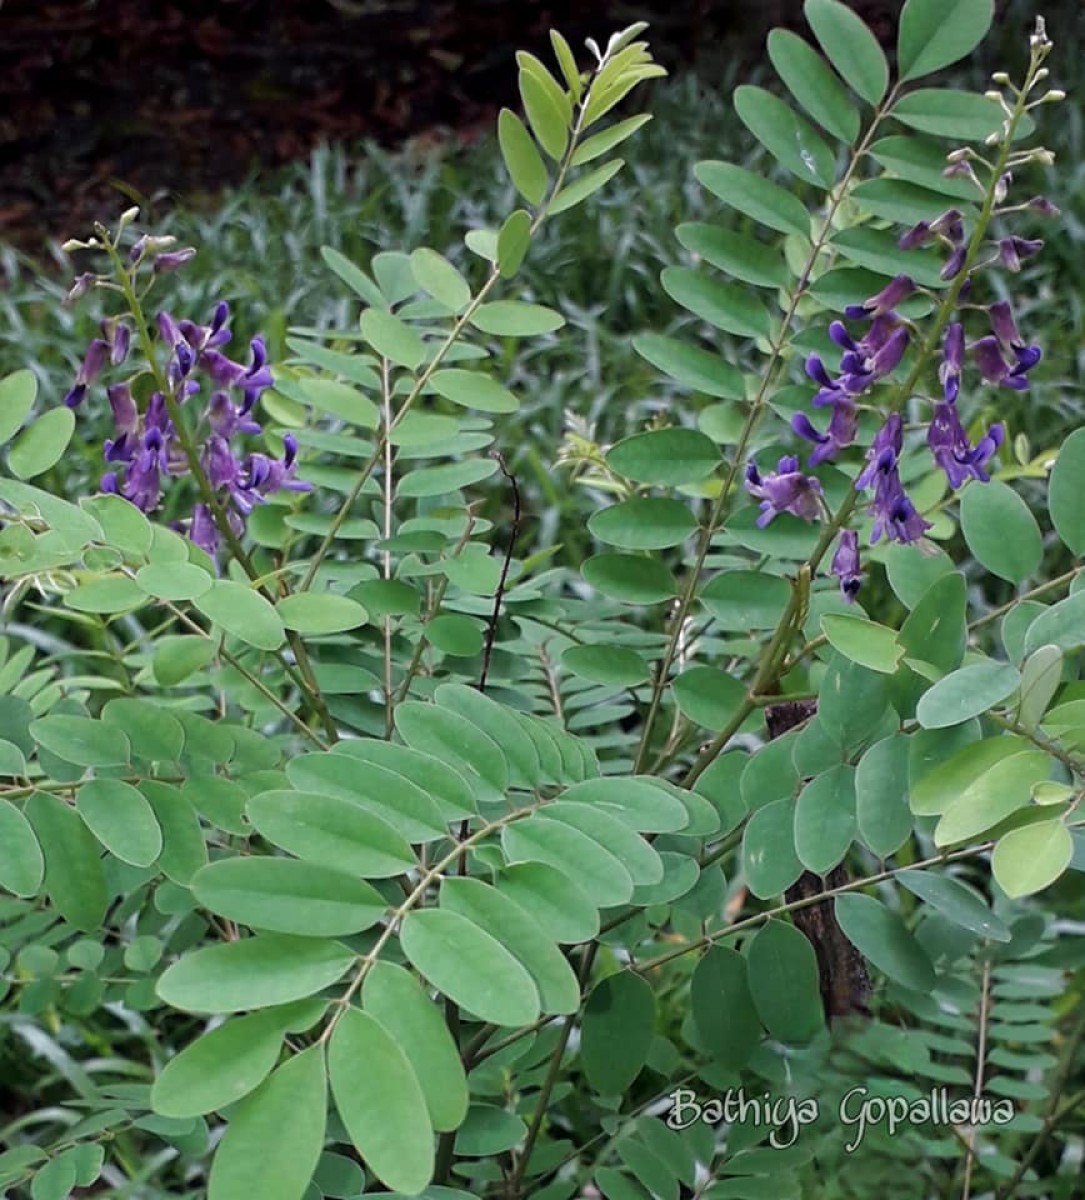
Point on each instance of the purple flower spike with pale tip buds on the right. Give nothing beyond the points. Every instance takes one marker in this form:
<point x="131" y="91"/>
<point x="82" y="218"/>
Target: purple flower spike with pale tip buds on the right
<point x="1002" y="356"/>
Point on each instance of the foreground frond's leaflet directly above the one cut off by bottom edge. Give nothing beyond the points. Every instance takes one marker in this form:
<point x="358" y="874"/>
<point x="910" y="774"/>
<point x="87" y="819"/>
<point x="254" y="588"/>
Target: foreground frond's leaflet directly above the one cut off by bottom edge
<point x="220" y="1067"/>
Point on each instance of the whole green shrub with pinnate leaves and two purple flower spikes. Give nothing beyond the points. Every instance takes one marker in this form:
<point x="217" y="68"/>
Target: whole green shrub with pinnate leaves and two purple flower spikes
<point x="621" y="878"/>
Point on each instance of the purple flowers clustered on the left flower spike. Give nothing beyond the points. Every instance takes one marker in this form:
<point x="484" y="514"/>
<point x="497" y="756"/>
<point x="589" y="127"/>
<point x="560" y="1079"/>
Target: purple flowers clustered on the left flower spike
<point x="147" y="446"/>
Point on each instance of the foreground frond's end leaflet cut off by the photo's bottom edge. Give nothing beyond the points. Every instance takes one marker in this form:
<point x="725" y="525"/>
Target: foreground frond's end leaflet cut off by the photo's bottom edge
<point x="275" y="1136"/>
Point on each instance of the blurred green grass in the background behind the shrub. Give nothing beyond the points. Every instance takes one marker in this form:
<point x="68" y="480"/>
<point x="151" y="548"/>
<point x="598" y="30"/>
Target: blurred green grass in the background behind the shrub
<point x="260" y="249"/>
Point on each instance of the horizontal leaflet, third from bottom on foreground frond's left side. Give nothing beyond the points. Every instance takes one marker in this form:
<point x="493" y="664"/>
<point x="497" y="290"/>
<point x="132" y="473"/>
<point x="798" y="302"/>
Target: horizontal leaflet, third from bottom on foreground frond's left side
<point x="255" y="973"/>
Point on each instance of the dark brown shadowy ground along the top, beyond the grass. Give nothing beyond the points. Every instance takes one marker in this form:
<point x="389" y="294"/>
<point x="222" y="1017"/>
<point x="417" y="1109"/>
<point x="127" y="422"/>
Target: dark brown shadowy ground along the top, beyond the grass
<point x="111" y="103"/>
